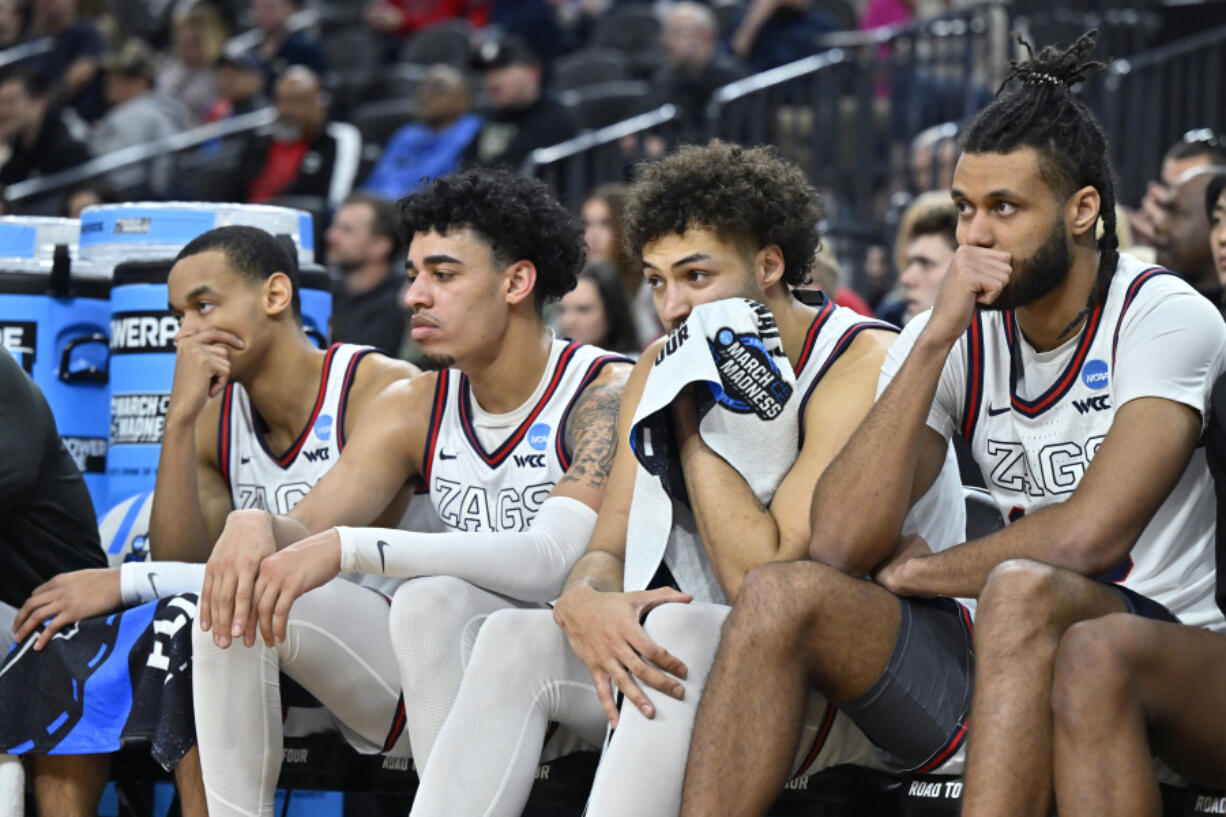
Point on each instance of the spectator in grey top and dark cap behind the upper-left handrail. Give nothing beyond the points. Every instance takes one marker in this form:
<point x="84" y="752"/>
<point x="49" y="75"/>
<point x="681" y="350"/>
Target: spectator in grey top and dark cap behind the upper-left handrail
<point x="138" y="115"/>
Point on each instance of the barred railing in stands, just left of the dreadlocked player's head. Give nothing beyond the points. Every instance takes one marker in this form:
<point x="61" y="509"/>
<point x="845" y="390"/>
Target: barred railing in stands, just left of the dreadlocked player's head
<point x="848" y="115"/>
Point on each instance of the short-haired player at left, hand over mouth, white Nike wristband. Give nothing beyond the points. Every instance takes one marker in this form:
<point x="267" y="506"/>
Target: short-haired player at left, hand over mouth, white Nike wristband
<point x="248" y="383"/>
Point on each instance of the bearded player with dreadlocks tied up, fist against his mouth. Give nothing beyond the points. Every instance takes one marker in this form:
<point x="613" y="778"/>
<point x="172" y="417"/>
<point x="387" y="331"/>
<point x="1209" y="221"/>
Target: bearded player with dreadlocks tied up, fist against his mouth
<point x="1081" y="380"/>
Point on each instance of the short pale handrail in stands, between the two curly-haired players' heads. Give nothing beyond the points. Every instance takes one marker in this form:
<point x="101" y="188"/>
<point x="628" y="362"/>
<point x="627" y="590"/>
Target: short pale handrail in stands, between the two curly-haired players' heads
<point x="598" y="158"/>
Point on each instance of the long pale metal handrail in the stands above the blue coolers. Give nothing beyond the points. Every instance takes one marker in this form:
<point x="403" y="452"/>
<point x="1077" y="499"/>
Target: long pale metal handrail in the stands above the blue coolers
<point x="132" y="167"/>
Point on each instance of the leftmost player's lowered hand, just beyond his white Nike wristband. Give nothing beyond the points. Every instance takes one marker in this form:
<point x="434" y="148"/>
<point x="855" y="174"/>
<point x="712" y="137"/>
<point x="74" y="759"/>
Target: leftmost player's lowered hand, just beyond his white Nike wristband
<point x="67" y="599"/>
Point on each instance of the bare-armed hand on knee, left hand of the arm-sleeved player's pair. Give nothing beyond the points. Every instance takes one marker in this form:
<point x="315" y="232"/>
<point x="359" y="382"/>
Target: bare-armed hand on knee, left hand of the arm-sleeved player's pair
<point x="226" y="600"/>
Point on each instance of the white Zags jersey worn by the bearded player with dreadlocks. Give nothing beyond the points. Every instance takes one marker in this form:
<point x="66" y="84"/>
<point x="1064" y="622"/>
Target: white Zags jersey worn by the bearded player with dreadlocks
<point x="1034" y="451"/>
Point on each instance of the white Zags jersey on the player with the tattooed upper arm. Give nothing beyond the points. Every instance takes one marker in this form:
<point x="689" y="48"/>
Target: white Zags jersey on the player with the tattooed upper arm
<point x="475" y="489"/>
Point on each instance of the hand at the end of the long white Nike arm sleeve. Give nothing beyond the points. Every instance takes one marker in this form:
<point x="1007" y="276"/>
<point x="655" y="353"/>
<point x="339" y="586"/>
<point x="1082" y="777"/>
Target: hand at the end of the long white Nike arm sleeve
<point x="300" y="569"/>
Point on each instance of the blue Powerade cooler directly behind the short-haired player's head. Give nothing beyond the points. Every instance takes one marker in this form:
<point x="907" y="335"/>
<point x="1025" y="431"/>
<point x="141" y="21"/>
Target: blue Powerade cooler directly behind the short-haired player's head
<point x="138" y="242"/>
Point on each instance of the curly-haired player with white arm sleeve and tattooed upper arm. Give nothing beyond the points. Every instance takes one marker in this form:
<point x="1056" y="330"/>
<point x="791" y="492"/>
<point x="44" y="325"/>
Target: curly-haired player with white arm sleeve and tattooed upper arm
<point x="513" y="441"/>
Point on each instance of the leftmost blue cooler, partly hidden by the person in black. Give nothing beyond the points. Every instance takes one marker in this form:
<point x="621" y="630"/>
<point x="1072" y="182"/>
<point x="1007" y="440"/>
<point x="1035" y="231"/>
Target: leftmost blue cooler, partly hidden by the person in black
<point x="53" y="321"/>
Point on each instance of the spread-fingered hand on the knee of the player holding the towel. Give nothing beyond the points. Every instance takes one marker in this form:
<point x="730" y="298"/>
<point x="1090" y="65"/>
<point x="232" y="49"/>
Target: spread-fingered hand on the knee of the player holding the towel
<point x="605" y="631"/>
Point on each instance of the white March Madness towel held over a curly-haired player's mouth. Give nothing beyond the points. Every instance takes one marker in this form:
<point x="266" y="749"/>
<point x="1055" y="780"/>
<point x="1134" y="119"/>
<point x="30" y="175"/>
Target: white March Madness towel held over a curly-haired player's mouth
<point x="747" y="408"/>
